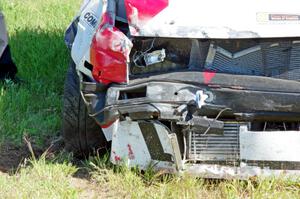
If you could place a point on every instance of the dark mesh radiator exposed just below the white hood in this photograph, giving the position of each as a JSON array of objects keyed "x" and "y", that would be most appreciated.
[{"x": 273, "y": 59}]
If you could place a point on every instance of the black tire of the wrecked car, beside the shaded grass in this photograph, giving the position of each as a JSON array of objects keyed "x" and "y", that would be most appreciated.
[{"x": 81, "y": 134}]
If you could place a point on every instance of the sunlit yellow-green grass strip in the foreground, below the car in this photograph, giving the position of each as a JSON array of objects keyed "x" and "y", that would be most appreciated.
[{"x": 55, "y": 179}]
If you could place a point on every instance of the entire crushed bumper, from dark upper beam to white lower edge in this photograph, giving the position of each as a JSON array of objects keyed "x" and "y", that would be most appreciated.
[{"x": 200, "y": 123}]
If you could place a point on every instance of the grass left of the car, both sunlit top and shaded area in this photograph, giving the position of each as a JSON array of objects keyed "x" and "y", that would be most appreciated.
[{"x": 36, "y": 29}]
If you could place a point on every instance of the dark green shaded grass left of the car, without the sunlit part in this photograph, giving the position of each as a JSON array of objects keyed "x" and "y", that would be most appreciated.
[{"x": 34, "y": 107}]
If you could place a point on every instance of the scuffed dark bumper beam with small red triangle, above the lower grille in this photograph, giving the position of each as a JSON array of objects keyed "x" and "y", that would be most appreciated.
[{"x": 248, "y": 98}]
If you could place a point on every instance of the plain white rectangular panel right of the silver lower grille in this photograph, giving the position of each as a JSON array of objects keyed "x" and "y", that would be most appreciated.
[{"x": 270, "y": 146}]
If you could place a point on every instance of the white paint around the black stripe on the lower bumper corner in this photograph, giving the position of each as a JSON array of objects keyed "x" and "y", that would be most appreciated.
[{"x": 129, "y": 135}]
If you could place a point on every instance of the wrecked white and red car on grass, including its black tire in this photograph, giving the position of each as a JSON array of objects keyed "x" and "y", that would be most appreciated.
[{"x": 187, "y": 85}]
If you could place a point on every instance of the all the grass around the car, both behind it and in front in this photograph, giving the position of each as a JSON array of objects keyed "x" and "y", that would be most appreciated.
[{"x": 36, "y": 30}]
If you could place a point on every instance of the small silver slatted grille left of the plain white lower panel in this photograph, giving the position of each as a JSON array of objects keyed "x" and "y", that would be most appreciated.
[{"x": 215, "y": 148}]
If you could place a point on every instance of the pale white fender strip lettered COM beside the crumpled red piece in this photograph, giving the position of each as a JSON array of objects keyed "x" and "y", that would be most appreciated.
[{"x": 85, "y": 32}]
